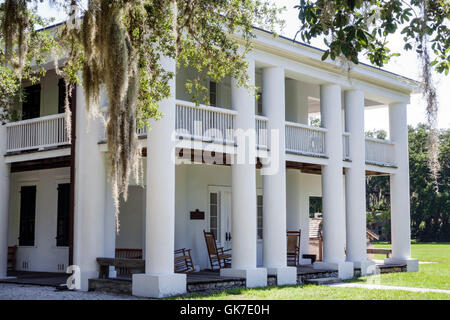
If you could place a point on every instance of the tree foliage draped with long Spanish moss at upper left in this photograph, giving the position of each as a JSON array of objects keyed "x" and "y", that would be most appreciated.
[{"x": 118, "y": 44}]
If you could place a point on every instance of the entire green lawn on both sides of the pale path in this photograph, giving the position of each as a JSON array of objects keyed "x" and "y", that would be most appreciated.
[{"x": 435, "y": 275}]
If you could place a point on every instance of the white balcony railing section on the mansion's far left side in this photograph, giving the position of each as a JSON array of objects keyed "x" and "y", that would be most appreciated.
[{"x": 38, "y": 133}]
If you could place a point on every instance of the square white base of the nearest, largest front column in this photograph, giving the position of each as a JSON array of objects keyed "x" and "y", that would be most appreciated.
[{"x": 158, "y": 285}]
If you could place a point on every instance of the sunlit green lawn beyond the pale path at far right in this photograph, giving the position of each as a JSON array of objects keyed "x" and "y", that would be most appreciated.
[{"x": 434, "y": 275}]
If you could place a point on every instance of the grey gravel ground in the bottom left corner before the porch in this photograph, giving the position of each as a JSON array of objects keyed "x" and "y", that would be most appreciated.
[{"x": 9, "y": 291}]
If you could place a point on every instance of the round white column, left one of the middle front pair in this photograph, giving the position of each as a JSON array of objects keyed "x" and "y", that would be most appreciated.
[{"x": 244, "y": 239}]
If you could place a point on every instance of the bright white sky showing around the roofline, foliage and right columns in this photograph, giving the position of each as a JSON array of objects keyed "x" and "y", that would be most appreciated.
[{"x": 406, "y": 65}]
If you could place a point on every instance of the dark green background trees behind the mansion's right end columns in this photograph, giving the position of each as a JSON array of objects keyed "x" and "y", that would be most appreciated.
[{"x": 430, "y": 209}]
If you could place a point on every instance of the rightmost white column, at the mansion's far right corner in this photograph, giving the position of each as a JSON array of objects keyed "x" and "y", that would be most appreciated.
[{"x": 400, "y": 207}]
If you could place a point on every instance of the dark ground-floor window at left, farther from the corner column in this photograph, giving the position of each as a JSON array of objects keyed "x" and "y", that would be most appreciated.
[{"x": 27, "y": 215}]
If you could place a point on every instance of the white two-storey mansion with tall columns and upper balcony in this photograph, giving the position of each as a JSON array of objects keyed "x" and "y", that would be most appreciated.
[{"x": 56, "y": 204}]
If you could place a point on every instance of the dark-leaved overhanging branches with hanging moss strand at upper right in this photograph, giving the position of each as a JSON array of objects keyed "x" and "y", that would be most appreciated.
[{"x": 353, "y": 27}]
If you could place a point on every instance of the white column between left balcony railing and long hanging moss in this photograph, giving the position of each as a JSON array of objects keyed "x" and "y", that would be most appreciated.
[{"x": 89, "y": 194}]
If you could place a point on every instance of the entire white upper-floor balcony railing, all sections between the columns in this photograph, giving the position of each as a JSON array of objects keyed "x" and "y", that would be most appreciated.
[{"x": 204, "y": 123}]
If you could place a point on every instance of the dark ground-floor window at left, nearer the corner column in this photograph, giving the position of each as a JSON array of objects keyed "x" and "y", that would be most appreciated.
[{"x": 62, "y": 232}]
